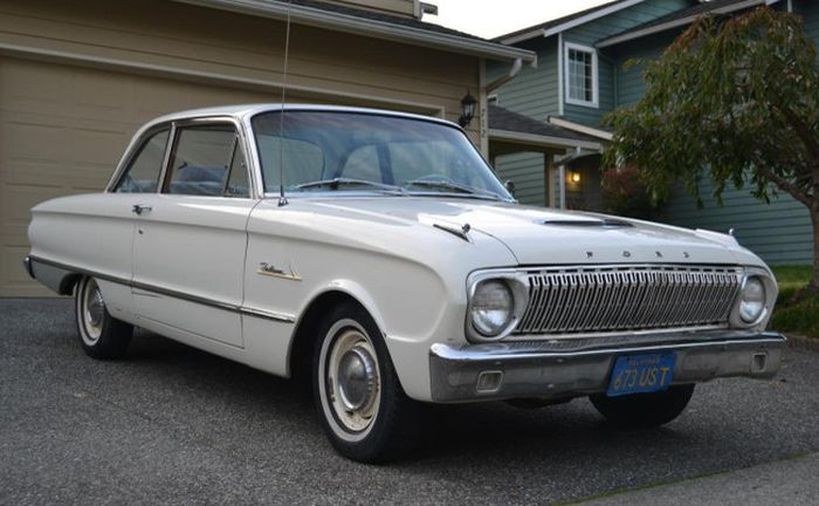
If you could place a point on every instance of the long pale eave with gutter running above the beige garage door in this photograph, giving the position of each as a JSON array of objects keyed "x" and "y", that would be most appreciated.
[{"x": 374, "y": 28}]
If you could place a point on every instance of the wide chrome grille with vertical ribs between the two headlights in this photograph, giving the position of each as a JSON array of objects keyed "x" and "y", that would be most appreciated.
[{"x": 574, "y": 300}]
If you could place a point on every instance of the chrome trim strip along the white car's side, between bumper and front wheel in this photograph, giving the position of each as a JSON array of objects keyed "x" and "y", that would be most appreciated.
[{"x": 153, "y": 289}]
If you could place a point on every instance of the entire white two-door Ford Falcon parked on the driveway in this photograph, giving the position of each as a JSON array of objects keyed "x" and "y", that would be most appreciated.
[{"x": 377, "y": 253}]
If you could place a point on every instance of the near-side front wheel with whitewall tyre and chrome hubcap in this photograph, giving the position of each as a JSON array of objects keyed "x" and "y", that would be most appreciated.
[{"x": 363, "y": 408}]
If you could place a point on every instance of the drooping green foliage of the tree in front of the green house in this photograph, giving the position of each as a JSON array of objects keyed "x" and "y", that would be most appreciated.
[{"x": 738, "y": 97}]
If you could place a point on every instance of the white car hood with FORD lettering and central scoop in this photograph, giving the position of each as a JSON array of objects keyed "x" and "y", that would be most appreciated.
[{"x": 538, "y": 235}]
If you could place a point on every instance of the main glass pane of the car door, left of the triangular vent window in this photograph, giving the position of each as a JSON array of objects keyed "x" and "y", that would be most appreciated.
[{"x": 201, "y": 160}]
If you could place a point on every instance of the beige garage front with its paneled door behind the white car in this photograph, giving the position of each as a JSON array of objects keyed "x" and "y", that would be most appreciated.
[{"x": 78, "y": 78}]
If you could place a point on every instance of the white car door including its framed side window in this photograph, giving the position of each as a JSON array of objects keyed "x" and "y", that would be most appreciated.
[{"x": 190, "y": 241}]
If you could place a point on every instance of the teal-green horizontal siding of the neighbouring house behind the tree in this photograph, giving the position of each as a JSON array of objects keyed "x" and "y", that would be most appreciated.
[{"x": 780, "y": 232}]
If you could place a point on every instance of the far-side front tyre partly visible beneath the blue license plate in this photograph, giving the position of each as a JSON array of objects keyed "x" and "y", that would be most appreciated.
[{"x": 643, "y": 411}]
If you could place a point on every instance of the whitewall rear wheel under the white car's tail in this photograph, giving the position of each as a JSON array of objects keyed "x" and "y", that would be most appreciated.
[{"x": 101, "y": 335}]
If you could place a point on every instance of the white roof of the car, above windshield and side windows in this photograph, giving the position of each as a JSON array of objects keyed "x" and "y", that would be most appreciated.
[{"x": 243, "y": 111}]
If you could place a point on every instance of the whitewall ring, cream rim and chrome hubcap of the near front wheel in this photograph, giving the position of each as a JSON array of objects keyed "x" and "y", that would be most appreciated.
[{"x": 352, "y": 379}]
